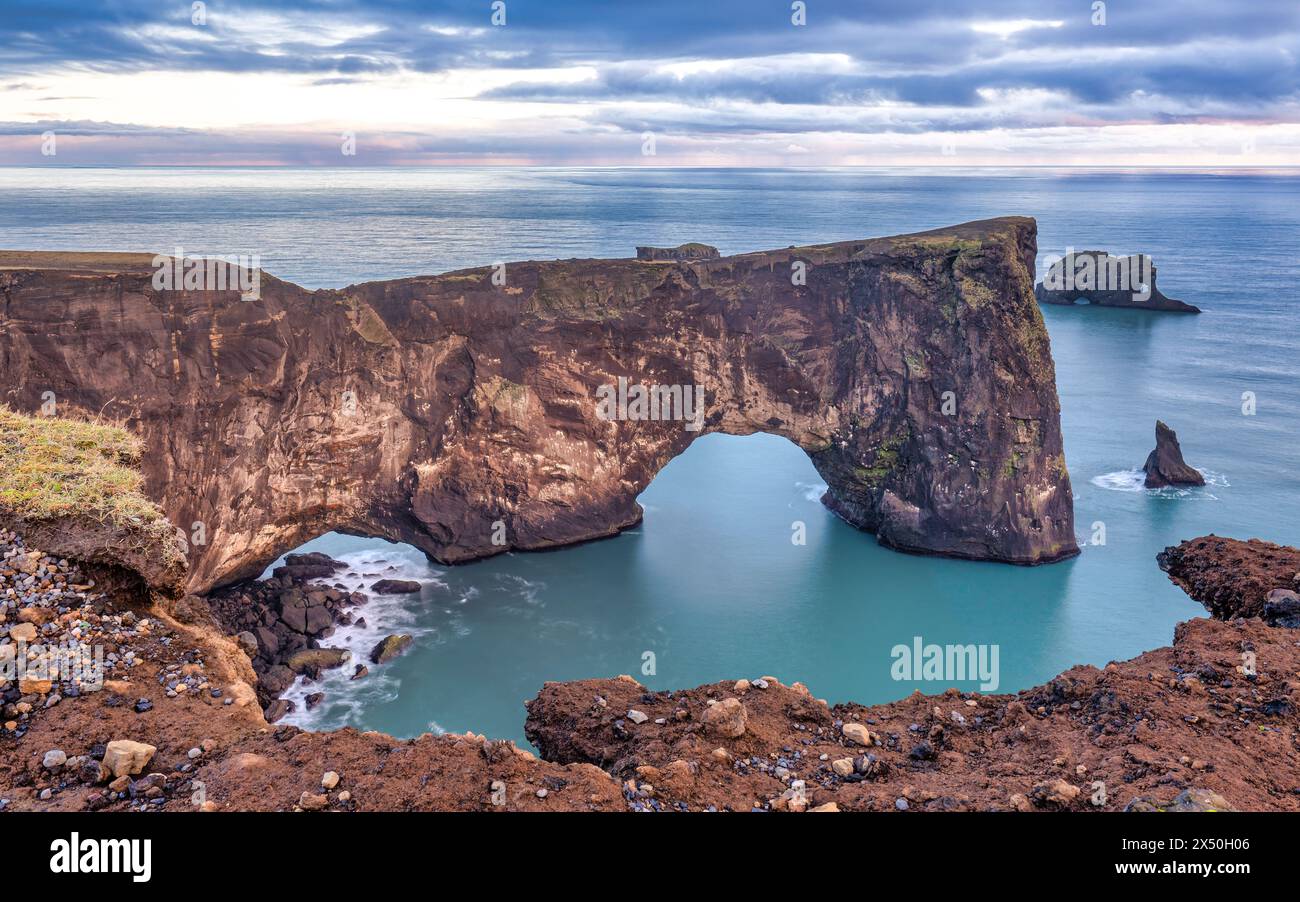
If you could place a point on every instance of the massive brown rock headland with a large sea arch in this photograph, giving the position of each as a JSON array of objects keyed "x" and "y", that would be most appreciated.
[{"x": 462, "y": 417}]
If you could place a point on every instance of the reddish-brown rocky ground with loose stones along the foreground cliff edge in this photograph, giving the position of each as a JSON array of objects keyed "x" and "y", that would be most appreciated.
[{"x": 1208, "y": 723}]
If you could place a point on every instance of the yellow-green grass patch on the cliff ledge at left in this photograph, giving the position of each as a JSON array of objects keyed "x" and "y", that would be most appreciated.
[{"x": 53, "y": 467}]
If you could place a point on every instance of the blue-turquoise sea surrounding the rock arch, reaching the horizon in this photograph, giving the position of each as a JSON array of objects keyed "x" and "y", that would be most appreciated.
[{"x": 710, "y": 583}]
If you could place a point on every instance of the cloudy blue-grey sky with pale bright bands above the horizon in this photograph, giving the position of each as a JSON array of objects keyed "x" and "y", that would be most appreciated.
[{"x": 714, "y": 83}]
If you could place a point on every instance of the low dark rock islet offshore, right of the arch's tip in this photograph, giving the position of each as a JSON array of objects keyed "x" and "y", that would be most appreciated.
[{"x": 1107, "y": 281}]
